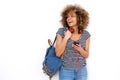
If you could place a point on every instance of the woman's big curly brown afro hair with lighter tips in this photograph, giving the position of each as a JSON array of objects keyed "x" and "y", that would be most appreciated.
[{"x": 82, "y": 16}]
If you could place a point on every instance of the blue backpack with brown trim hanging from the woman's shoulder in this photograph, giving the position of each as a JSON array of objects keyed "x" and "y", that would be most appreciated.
[{"x": 51, "y": 63}]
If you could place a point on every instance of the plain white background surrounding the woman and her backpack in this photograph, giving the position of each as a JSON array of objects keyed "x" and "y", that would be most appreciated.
[{"x": 25, "y": 26}]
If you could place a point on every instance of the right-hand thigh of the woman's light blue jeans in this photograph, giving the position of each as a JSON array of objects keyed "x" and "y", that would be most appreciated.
[{"x": 82, "y": 74}]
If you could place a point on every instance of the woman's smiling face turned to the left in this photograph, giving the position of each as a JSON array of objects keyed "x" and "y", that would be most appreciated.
[{"x": 71, "y": 19}]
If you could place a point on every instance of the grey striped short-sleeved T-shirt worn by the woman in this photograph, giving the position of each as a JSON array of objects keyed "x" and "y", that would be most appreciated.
[{"x": 73, "y": 59}]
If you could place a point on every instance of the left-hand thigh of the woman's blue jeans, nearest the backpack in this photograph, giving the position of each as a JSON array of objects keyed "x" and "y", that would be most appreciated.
[{"x": 66, "y": 74}]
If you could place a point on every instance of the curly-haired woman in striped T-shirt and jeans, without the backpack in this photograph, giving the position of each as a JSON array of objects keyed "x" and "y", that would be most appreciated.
[{"x": 72, "y": 43}]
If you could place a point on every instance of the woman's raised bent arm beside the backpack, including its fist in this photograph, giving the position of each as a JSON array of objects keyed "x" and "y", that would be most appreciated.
[{"x": 61, "y": 43}]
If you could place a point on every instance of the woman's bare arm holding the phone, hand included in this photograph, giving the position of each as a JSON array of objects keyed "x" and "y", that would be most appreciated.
[{"x": 84, "y": 52}]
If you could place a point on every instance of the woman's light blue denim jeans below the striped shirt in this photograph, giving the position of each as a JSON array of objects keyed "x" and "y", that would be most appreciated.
[{"x": 73, "y": 74}]
